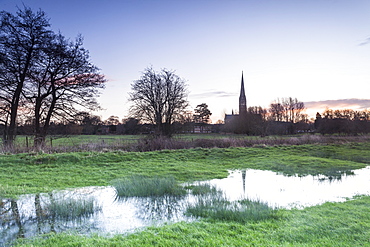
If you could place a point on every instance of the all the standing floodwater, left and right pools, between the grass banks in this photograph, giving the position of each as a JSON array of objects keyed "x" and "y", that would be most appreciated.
[{"x": 29, "y": 215}]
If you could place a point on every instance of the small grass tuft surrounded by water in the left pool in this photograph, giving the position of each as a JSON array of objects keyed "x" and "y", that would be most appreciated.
[{"x": 72, "y": 208}]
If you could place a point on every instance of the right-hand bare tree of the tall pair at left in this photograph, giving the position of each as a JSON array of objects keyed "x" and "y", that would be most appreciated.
[{"x": 62, "y": 82}]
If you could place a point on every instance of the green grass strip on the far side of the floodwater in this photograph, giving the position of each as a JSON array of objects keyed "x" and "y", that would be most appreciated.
[{"x": 39, "y": 172}]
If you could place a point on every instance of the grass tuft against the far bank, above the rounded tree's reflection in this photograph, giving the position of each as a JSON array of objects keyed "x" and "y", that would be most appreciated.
[{"x": 141, "y": 186}]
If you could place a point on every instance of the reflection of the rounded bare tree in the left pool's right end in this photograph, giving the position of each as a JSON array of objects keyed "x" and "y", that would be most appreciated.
[{"x": 161, "y": 207}]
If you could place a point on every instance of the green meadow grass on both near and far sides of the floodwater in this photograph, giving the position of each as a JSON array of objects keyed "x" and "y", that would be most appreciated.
[{"x": 339, "y": 224}]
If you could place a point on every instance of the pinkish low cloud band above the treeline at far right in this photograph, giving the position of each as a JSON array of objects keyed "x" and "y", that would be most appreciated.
[{"x": 354, "y": 104}]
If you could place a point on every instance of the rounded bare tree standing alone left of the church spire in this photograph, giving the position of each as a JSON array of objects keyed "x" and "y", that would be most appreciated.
[{"x": 159, "y": 98}]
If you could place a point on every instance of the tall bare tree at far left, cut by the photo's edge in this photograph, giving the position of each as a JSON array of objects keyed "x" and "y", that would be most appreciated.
[{"x": 22, "y": 37}]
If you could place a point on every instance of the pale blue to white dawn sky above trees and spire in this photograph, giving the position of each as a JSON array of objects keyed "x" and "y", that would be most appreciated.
[{"x": 317, "y": 51}]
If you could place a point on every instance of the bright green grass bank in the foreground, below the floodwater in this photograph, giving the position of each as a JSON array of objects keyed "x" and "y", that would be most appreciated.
[{"x": 330, "y": 224}]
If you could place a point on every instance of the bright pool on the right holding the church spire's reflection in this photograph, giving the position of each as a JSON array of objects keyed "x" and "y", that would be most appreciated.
[{"x": 294, "y": 191}]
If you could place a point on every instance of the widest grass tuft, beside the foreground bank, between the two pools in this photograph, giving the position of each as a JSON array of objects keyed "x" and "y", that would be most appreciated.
[{"x": 216, "y": 206}]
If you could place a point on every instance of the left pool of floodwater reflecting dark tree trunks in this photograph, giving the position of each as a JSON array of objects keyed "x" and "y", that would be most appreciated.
[{"x": 19, "y": 219}]
